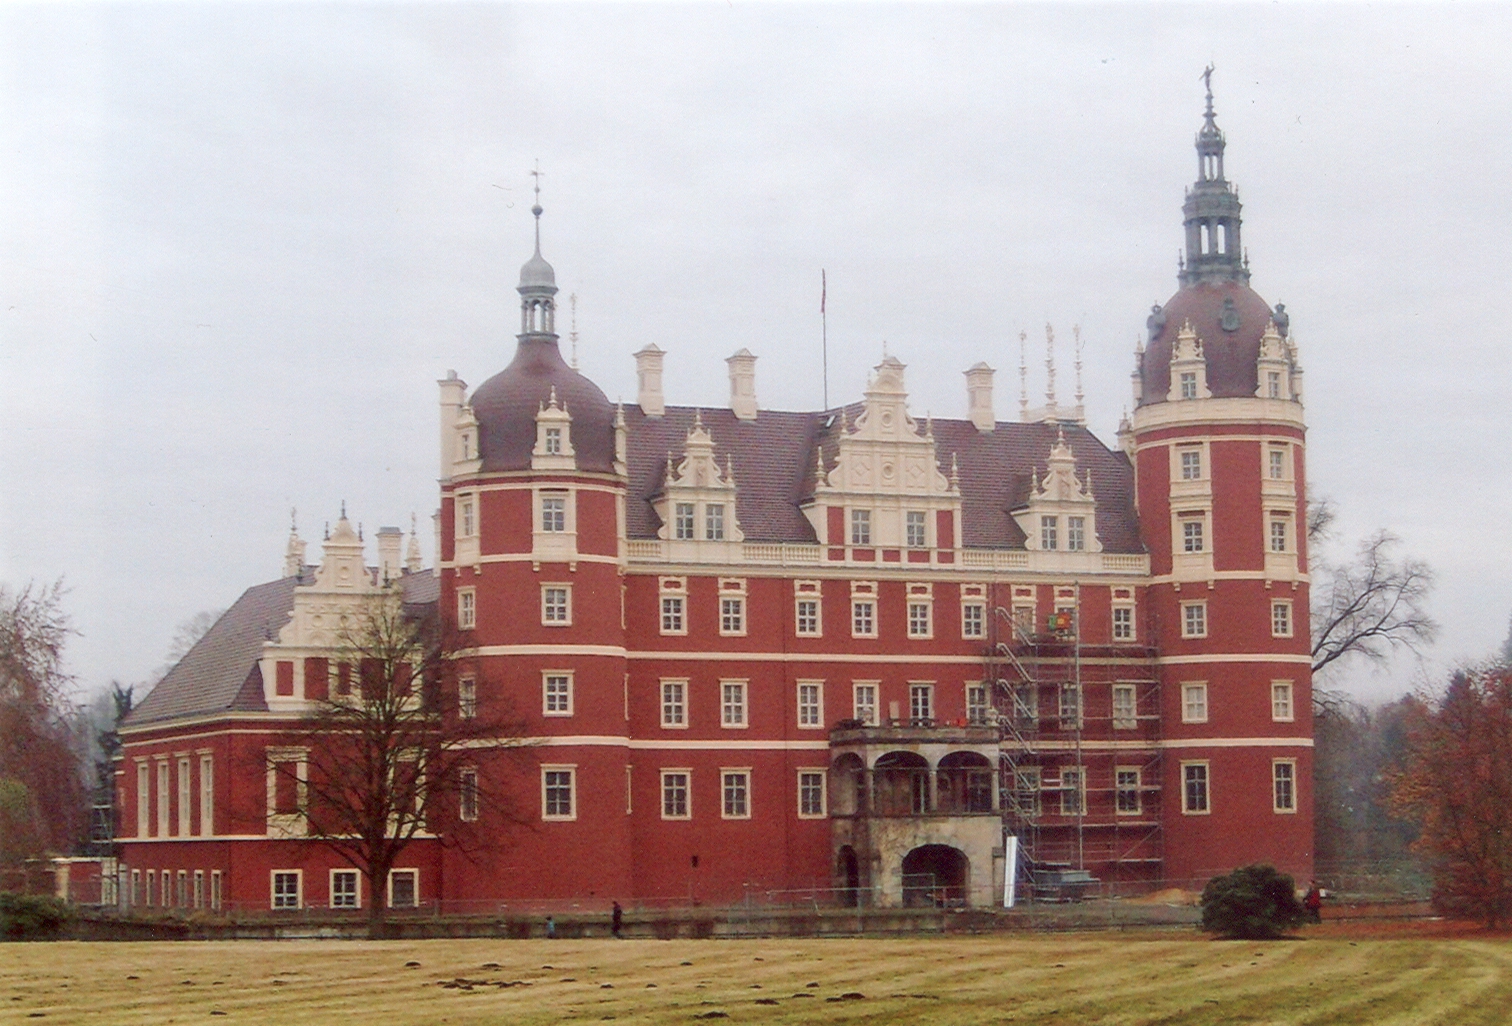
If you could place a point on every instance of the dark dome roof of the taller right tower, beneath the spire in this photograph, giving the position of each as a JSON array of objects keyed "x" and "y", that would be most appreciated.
[{"x": 1232, "y": 354}]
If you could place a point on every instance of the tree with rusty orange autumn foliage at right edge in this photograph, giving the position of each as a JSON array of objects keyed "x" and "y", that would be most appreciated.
[{"x": 1457, "y": 785}]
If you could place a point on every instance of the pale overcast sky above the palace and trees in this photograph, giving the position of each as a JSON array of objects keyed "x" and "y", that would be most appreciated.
[{"x": 241, "y": 243}]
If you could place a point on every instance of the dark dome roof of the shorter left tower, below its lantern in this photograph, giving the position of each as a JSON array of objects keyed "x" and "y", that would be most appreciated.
[{"x": 507, "y": 404}]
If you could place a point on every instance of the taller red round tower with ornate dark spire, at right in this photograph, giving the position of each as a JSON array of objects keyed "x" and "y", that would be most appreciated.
[{"x": 1219, "y": 445}]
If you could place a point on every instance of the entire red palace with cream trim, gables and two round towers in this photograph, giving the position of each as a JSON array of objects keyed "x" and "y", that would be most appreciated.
[{"x": 844, "y": 651}]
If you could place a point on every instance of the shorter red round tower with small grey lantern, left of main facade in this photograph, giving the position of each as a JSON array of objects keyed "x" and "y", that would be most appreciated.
[{"x": 533, "y": 539}]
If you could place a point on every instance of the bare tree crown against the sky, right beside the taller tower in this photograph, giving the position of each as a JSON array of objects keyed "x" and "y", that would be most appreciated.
[{"x": 1372, "y": 605}]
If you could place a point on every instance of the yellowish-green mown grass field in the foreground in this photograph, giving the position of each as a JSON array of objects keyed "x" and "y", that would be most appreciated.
[{"x": 1331, "y": 975}]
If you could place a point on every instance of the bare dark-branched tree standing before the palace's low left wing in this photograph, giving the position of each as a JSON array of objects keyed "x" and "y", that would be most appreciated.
[{"x": 392, "y": 752}]
